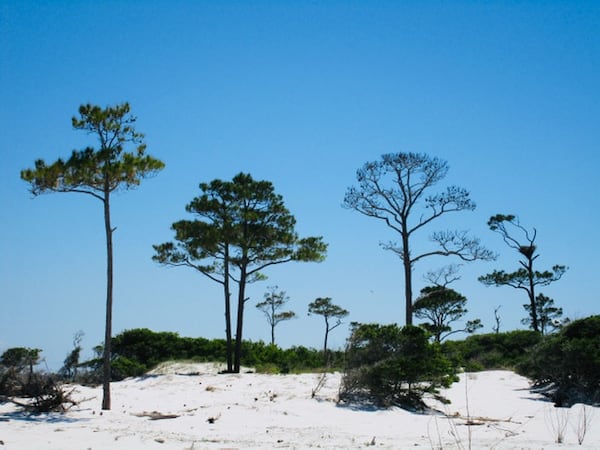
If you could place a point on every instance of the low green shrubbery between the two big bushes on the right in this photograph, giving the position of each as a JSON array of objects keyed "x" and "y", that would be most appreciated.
[{"x": 492, "y": 351}]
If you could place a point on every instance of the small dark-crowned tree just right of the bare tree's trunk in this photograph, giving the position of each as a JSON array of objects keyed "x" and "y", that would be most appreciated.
[{"x": 441, "y": 306}]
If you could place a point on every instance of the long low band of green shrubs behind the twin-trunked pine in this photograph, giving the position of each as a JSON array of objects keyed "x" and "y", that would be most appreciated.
[{"x": 139, "y": 350}]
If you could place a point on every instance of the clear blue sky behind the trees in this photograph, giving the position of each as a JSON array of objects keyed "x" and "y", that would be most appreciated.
[{"x": 300, "y": 93}]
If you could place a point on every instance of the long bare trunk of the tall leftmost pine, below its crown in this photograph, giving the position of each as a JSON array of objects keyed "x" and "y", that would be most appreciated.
[{"x": 109, "y": 290}]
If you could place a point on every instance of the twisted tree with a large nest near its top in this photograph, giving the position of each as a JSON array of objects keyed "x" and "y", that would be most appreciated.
[{"x": 525, "y": 278}]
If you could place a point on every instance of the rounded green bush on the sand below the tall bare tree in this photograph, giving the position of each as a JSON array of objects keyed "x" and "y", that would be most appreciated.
[{"x": 393, "y": 366}]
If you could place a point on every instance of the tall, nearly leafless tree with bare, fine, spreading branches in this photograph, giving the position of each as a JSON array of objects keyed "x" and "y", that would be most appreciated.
[{"x": 395, "y": 191}]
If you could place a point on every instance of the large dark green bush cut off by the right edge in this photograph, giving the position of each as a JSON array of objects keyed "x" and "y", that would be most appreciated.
[{"x": 569, "y": 363}]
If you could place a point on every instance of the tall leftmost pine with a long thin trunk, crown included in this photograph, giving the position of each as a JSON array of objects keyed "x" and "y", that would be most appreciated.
[{"x": 99, "y": 172}]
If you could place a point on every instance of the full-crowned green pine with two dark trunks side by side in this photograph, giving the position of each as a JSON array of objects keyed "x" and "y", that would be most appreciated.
[{"x": 243, "y": 227}]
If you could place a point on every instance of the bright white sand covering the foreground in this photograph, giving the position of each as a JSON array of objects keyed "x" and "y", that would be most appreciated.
[{"x": 174, "y": 410}]
